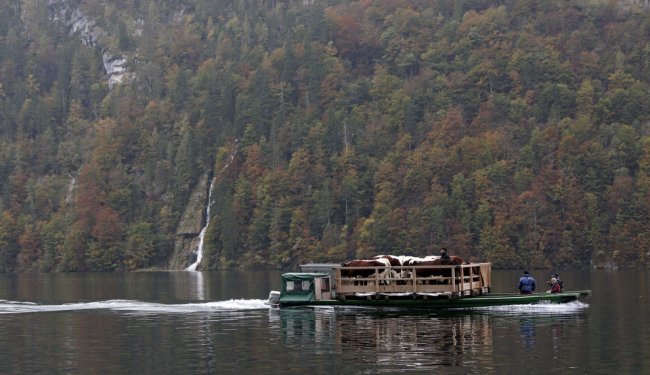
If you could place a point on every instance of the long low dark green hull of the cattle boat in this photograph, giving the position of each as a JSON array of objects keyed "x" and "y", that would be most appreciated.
[{"x": 443, "y": 302}]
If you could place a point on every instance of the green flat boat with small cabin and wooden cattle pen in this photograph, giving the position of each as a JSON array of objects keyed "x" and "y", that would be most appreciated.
[{"x": 444, "y": 287}]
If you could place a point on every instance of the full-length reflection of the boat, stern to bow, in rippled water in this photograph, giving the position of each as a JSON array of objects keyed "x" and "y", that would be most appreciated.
[{"x": 423, "y": 341}]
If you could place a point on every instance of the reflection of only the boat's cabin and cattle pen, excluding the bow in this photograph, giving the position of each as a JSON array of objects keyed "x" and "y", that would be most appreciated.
[{"x": 412, "y": 340}]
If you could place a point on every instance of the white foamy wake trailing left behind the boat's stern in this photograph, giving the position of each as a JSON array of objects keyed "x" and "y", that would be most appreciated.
[{"x": 233, "y": 305}]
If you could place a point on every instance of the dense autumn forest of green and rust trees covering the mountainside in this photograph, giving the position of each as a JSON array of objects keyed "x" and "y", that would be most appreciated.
[{"x": 511, "y": 131}]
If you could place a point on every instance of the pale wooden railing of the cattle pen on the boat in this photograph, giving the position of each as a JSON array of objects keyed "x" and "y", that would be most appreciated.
[{"x": 454, "y": 280}]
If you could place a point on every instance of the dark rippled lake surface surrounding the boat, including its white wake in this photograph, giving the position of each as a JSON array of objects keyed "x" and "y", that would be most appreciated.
[{"x": 216, "y": 323}]
